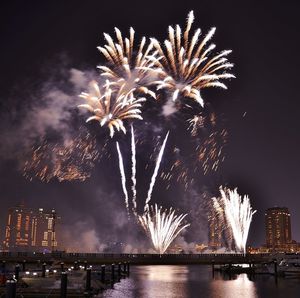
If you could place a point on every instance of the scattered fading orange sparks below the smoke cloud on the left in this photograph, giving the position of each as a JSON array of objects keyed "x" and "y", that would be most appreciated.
[{"x": 72, "y": 160}]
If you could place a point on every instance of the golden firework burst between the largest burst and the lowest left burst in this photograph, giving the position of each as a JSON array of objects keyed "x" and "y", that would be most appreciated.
[{"x": 129, "y": 67}]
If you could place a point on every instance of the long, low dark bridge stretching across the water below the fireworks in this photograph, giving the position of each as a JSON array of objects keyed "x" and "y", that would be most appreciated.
[{"x": 135, "y": 259}]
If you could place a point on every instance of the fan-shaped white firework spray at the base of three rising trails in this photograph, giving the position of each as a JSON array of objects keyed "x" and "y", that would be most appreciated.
[{"x": 162, "y": 226}]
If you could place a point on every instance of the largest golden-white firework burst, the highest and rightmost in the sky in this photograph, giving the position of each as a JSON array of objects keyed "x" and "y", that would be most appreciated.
[{"x": 186, "y": 65}]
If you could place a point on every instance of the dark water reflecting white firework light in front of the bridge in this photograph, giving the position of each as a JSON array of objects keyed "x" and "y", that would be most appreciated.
[{"x": 197, "y": 281}]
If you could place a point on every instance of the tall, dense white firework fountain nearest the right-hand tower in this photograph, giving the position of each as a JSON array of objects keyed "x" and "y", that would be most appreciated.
[{"x": 238, "y": 213}]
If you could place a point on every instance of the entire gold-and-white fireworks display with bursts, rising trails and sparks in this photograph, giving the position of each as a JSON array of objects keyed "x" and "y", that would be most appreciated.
[{"x": 132, "y": 74}]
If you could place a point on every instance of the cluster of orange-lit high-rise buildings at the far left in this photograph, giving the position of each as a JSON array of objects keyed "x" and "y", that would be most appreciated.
[{"x": 28, "y": 229}]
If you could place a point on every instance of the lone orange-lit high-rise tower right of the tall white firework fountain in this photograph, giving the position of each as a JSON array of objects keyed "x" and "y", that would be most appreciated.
[{"x": 278, "y": 229}]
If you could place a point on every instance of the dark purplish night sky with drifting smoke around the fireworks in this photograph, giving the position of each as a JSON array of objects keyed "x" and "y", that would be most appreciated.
[{"x": 49, "y": 57}]
